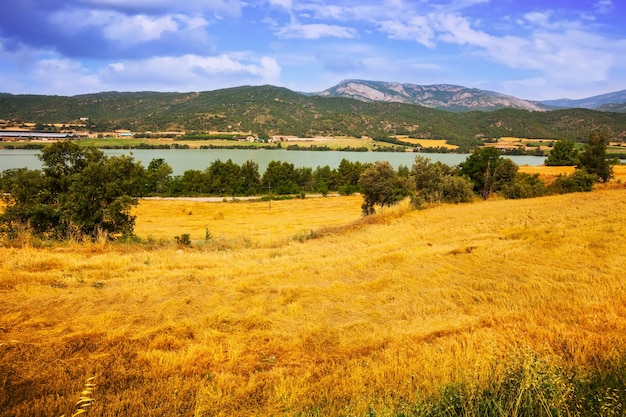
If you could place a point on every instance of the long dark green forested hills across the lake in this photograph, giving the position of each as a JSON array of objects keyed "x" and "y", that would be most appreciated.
[{"x": 268, "y": 110}]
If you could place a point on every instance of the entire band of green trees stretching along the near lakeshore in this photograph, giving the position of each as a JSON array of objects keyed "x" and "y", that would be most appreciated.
[{"x": 80, "y": 192}]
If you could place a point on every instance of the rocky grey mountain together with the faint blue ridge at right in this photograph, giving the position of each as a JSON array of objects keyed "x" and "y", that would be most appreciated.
[{"x": 457, "y": 98}]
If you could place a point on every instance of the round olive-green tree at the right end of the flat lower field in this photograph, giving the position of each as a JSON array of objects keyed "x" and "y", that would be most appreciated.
[{"x": 381, "y": 185}]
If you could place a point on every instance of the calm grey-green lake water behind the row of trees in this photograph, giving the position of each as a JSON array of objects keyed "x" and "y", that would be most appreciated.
[{"x": 182, "y": 160}]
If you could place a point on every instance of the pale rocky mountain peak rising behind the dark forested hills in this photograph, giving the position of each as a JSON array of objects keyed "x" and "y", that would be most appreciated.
[{"x": 448, "y": 97}]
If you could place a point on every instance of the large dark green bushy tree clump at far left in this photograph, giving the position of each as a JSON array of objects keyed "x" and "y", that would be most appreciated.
[{"x": 80, "y": 192}]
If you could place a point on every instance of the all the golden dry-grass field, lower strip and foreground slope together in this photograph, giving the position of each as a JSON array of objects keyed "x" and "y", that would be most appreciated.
[{"x": 371, "y": 316}]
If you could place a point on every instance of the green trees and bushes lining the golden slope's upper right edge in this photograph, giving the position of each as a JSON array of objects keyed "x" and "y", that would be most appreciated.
[{"x": 483, "y": 173}]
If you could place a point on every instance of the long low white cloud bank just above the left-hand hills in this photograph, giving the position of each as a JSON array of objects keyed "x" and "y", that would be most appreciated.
[{"x": 61, "y": 76}]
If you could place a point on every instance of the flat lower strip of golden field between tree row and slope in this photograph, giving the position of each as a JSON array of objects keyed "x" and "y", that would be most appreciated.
[{"x": 257, "y": 223}]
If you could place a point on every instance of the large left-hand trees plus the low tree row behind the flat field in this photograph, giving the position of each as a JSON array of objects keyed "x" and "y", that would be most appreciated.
[{"x": 80, "y": 192}]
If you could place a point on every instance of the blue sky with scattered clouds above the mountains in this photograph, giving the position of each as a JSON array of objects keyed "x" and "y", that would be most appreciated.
[{"x": 532, "y": 49}]
